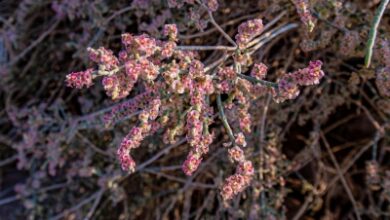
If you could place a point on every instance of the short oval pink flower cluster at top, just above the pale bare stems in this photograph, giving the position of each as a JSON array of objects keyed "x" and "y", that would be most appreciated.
[{"x": 247, "y": 31}]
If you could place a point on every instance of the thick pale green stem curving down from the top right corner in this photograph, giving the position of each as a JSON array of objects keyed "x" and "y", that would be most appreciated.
[{"x": 373, "y": 32}]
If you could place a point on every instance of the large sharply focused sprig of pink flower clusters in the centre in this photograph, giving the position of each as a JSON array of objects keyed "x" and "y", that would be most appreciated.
[{"x": 170, "y": 72}]
